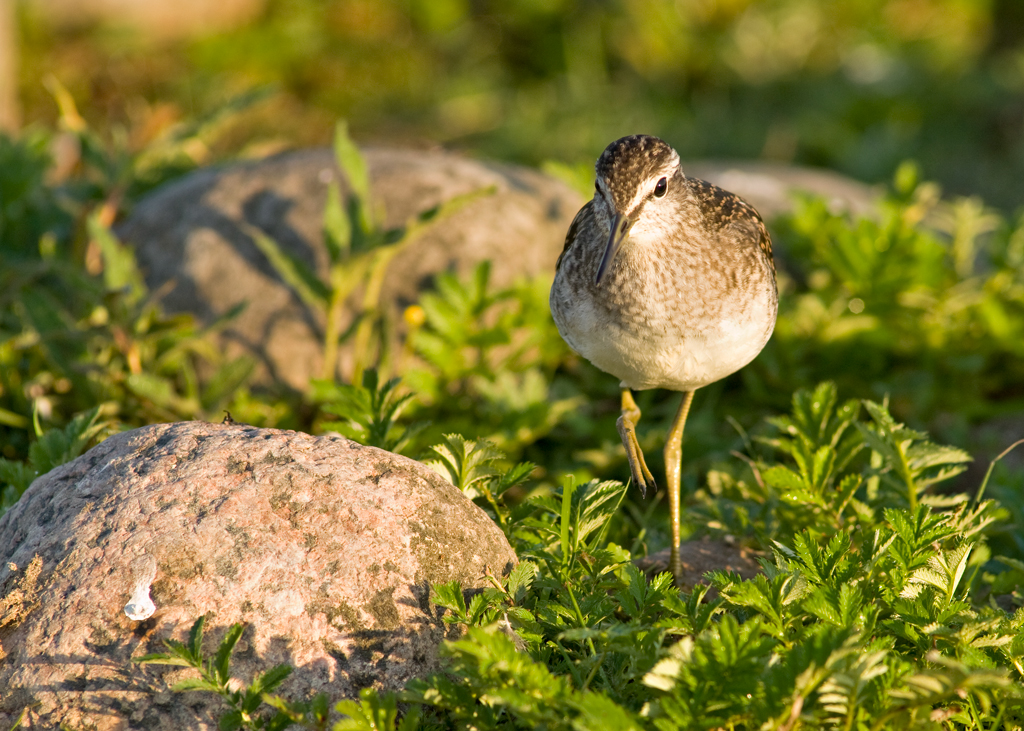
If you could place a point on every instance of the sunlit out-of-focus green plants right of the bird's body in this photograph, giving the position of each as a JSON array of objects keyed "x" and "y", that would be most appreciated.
[{"x": 923, "y": 300}]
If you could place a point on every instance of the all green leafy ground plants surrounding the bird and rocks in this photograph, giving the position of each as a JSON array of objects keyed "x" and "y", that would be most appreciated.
[{"x": 888, "y": 598}]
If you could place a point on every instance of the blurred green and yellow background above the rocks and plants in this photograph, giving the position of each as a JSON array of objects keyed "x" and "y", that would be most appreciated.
[{"x": 854, "y": 85}]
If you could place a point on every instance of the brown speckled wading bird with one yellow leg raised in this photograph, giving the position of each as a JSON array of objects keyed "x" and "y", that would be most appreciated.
[{"x": 665, "y": 282}]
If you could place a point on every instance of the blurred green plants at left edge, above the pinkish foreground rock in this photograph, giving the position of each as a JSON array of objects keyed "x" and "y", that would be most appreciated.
[{"x": 78, "y": 328}]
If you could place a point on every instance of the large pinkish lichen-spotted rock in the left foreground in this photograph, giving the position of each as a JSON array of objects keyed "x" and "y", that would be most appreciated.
[{"x": 327, "y": 549}]
